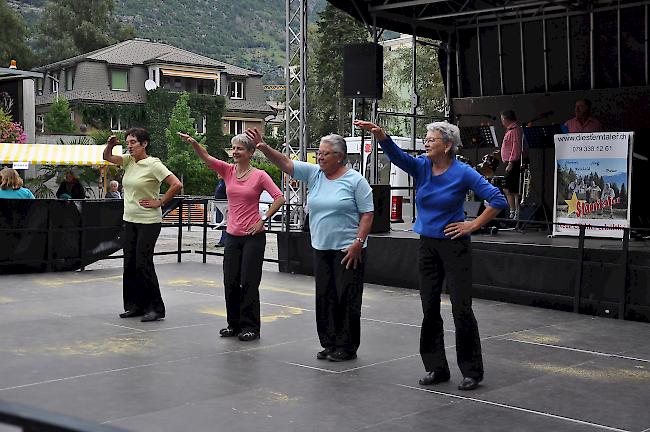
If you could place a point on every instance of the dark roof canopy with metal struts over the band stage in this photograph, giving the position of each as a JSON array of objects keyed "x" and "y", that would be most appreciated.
[{"x": 524, "y": 46}]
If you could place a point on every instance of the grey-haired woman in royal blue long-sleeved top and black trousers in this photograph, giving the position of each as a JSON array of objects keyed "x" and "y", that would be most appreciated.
[{"x": 441, "y": 184}]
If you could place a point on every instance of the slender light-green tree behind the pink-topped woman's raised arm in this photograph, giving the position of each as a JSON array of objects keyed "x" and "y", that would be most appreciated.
[{"x": 181, "y": 158}]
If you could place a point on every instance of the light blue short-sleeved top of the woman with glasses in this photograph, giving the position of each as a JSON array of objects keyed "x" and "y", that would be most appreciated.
[{"x": 335, "y": 206}]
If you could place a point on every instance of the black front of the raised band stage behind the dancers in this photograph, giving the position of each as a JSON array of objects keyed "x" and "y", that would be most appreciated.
[{"x": 527, "y": 268}]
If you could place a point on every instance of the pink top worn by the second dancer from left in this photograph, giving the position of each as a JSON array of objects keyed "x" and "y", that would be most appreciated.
[{"x": 244, "y": 196}]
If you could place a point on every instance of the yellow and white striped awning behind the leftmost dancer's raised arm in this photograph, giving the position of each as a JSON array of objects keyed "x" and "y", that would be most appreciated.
[{"x": 54, "y": 154}]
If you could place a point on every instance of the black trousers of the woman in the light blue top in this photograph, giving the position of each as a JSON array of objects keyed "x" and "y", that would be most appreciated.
[{"x": 338, "y": 300}]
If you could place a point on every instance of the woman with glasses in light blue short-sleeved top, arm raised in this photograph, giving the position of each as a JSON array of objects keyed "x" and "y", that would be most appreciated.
[{"x": 340, "y": 217}]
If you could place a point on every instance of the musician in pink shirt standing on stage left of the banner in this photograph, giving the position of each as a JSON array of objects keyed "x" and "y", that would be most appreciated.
[{"x": 511, "y": 156}]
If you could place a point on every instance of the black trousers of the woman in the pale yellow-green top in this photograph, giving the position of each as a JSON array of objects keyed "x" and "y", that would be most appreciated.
[{"x": 141, "y": 289}]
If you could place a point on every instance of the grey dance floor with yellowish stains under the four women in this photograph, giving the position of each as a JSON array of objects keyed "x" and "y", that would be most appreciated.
[{"x": 63, "y": 348}]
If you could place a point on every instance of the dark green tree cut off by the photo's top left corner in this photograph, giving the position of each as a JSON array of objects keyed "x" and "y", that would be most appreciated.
[{"x": 13, "y": 34}]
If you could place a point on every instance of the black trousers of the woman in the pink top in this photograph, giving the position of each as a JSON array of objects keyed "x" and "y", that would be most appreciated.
[{"x": 242, "y": 273}]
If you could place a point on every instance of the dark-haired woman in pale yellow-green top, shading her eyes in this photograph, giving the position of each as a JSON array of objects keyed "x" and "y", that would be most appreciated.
[{"x": 143, "y": 175}]
